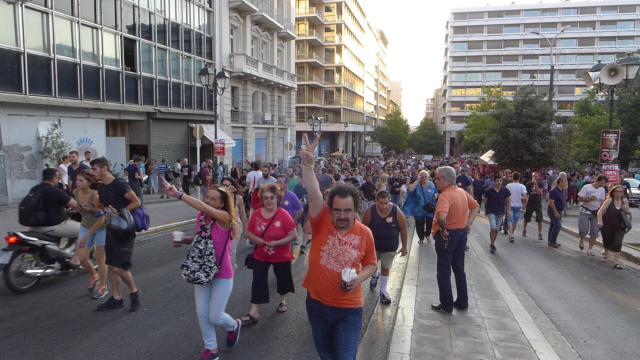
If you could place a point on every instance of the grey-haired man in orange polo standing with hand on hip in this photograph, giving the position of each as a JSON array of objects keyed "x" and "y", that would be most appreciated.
[{"x": 455, "y": 212}]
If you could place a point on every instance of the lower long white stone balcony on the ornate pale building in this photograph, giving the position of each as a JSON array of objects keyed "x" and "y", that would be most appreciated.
[{"x": 245, "y": 65}]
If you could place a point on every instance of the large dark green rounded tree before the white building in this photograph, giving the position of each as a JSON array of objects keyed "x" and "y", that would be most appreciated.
[{"x": 523, "y": 130}]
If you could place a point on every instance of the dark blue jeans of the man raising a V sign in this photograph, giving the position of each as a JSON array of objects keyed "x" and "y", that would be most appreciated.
[{"x": 336, "y": 331}]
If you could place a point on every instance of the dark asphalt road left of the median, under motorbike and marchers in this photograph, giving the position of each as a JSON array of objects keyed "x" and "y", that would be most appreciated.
[{"x": 57, "y": 320}]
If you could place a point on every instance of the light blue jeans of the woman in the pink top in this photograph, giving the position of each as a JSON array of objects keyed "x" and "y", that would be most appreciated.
[{"x": 211, "y": 300}]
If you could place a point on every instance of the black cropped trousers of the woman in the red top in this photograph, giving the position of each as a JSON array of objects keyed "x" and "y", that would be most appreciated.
[{"x": 260, "y": 284}]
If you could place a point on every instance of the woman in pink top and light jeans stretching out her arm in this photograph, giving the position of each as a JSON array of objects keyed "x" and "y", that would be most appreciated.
[{"x": 216, "y": 214}]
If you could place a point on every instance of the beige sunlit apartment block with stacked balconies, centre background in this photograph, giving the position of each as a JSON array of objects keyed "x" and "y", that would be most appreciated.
[{"x": 340, "y": 64}]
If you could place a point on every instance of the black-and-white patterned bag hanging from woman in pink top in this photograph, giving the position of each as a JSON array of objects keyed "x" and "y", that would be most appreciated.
[{"x": 200, "y": 266}]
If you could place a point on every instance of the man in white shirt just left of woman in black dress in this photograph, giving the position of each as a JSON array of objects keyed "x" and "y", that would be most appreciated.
[{"x": 591, "y": 197}]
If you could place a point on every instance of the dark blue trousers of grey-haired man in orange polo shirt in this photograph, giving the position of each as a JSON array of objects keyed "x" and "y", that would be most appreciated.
[{"x": 452, "y": 257}]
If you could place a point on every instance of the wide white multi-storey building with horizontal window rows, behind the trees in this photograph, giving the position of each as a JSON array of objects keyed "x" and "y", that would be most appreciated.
[{"x": 496, "y": 45}]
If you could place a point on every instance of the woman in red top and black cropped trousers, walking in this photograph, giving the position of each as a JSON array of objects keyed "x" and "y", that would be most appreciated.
[{"x": 271, "y": 229}]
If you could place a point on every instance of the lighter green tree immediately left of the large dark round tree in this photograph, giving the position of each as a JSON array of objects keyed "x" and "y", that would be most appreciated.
[{"x": 476, "y": 134}]
